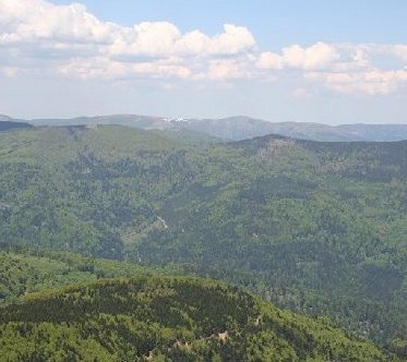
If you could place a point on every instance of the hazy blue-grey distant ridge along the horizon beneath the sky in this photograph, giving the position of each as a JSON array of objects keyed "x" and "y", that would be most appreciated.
[{"x": 241, "y": 127}]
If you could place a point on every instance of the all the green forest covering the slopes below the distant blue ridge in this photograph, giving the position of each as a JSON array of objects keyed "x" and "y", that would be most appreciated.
[{"x": 315, "y": 228}]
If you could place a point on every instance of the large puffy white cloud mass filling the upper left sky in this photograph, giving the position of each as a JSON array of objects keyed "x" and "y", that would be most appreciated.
[{"x": 82, "y": 45}]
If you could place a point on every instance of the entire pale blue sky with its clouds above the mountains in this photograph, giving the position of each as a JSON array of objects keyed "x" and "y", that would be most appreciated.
[{"x": 332, "y": 62}]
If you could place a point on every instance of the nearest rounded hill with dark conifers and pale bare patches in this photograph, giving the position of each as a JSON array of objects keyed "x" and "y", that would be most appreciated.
[{"x": 167, "y": 318}]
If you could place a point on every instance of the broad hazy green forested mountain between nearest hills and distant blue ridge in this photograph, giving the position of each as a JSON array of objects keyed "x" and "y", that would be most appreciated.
[{"x": 319, "y": 228}]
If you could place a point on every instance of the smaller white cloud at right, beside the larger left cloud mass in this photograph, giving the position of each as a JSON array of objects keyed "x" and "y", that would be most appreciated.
[{"x": 346, "y": 68}]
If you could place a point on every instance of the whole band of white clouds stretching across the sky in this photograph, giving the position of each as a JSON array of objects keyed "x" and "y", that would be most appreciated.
[{"x": 68, "y": 41}]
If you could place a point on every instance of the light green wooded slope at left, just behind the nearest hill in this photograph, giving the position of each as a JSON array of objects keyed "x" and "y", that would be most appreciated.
[{"x": 30, "y": 271}]
